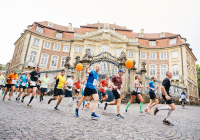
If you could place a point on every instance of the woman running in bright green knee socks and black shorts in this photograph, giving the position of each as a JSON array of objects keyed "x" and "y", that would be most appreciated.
[{"x": 136, "y": 93}]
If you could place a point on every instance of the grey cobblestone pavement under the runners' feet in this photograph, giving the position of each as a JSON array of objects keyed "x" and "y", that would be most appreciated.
[{"x": 17, "y": 121}]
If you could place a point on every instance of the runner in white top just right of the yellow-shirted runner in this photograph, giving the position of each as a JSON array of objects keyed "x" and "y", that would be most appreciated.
[{"x": 69, "y": 85}]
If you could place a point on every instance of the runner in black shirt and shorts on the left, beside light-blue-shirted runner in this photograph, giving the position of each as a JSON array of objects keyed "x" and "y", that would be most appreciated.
[{"x": 33, "y": 79}]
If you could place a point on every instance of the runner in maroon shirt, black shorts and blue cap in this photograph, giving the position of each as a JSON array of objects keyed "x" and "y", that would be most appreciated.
[{"x": 116, "y": 84}]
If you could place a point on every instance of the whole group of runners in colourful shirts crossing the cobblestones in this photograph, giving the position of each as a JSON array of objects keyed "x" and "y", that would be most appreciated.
[{"x": 88, "y": 88}]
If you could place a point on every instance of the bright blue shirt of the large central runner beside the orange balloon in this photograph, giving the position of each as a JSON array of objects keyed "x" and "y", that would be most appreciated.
[{"x": 92, "y": 80}]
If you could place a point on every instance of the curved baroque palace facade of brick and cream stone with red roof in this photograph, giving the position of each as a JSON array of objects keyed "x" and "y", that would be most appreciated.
[{"x": 47, "y": 44}]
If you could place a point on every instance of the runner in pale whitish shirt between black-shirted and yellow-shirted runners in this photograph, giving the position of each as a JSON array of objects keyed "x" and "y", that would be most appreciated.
[{"x": 44, "y": 86}]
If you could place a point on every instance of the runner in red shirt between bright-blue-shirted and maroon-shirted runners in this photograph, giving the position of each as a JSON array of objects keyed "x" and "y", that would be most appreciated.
[{"x": 103, "y": 87}]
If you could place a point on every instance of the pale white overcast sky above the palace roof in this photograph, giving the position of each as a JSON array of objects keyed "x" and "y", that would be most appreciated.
[{"x": 154, "y": 16}]
